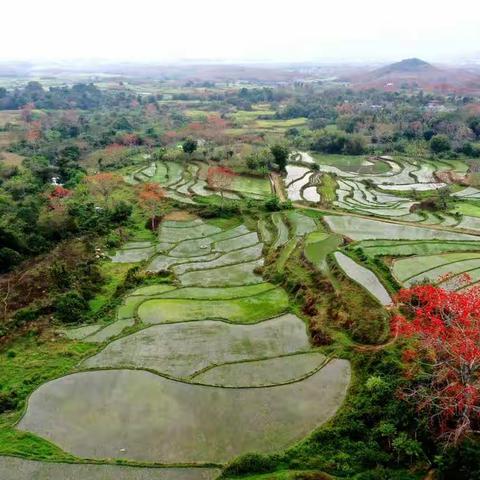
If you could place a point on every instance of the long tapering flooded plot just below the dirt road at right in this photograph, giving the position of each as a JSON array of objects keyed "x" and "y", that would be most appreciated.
[{"x": 358, "y": 228}]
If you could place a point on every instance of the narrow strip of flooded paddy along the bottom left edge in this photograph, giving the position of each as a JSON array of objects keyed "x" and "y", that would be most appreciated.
[{"x": 12, "y": 468}]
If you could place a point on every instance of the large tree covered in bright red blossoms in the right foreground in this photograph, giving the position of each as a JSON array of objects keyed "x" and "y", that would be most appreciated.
[{"x": 444, "y": 364}]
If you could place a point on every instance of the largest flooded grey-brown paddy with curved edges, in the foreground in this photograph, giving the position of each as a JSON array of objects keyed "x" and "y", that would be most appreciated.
[{"x": 86, "y": 414}]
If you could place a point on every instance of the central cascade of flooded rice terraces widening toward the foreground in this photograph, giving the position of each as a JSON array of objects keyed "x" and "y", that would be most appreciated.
[{"x": 212, "y": 365}]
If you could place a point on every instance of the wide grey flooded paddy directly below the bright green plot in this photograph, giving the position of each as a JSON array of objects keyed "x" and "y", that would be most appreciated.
[{"x": 181, "y": 350}]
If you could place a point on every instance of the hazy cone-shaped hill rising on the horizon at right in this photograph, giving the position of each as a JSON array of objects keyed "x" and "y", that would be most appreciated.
[{"x": 414, "y": 72}]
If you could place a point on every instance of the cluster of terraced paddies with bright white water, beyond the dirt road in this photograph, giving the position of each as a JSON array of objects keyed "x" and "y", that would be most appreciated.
[{"x": 376, "y": 186}]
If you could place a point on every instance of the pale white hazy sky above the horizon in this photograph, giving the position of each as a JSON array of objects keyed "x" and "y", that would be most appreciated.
[{"x": 239, "y": 30}]
